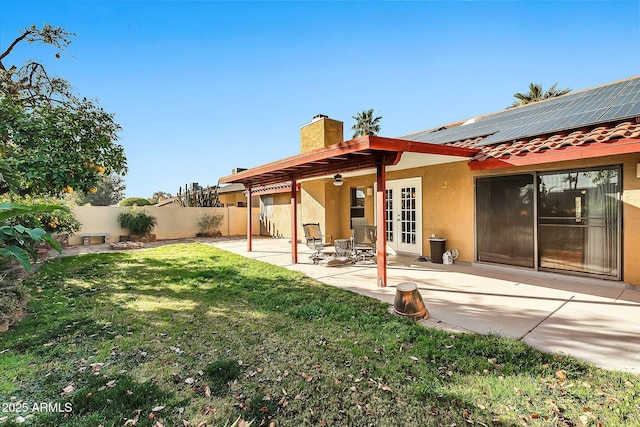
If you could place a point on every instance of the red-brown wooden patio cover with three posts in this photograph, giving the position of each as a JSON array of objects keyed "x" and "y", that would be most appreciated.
[{"x": 368, "y": 152}]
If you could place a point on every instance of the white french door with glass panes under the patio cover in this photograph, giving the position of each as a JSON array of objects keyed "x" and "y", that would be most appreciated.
[{"x": 403, "y": 204}]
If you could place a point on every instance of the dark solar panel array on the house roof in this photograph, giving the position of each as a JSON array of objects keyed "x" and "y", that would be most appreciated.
[{"x": 605, "y": 103}]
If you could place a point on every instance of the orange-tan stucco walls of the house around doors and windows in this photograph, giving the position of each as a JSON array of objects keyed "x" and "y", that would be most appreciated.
[{"x": 448, "y": 205}]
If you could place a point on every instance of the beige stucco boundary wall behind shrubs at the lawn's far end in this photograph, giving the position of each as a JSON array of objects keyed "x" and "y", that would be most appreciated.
[{"x": 172, "y": 223}]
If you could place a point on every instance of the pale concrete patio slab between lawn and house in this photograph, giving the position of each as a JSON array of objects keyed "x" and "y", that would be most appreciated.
[{"x": 592, "y": 320}]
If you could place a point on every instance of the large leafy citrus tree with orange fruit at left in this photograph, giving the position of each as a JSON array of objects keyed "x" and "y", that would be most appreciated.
[{"x": 54, "y": 141}]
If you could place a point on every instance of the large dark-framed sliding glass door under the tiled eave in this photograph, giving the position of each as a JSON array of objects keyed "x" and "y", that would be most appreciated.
[{"x": 569, "y": 219}]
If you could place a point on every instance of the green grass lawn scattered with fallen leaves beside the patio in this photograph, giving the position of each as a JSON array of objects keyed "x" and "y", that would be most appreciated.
[{"x": 192, "y": 335}]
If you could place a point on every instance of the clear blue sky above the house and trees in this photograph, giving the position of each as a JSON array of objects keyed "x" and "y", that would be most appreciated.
[{"x": 201, "y": 87}]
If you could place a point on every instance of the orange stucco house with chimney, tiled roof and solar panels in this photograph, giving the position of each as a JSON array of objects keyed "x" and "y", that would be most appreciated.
[{"x": 554, "y": 187}]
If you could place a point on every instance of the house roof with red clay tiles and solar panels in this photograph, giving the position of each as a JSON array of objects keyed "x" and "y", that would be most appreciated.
[{"x": 592, "y": 117}]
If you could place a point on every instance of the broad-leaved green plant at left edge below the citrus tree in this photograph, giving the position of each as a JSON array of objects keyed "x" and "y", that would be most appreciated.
[{"x": 18, "y": 242}]
